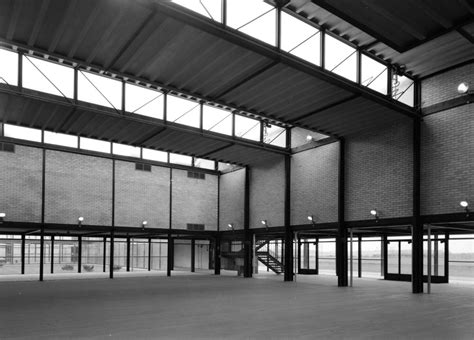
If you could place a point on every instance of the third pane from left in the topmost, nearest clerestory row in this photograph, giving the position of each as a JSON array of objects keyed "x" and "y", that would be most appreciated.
[{"x": 305, "y": 44}]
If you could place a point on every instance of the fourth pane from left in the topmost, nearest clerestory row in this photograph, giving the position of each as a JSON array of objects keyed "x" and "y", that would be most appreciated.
[{"x": 340, "y": 58}]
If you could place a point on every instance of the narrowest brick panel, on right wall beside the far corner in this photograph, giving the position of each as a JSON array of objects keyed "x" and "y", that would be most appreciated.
[{"x": 232, "y": 196}]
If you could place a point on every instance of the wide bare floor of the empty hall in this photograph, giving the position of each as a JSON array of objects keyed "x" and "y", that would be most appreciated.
[{"x": 204, "y": 306}]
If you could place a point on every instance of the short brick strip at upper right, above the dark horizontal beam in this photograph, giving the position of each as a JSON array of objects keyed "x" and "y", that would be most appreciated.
[{"x": 443, "y": 87}]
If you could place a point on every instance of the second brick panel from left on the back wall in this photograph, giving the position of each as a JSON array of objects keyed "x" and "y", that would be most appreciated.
[{"x": 78, "y": 185}]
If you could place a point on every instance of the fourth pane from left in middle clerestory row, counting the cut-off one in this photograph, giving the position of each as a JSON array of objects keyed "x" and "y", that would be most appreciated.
[{"x": 143, "y": 101}]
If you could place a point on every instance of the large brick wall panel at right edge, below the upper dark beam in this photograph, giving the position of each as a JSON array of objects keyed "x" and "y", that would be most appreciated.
[{"x": 447, "y": 160}]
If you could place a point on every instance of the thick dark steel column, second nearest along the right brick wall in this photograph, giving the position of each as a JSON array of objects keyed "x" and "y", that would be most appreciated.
[{"x": 341, "y": 239}]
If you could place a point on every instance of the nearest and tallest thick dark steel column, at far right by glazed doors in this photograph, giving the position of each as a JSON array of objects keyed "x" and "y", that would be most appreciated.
[{"x": 417, "y": 234}]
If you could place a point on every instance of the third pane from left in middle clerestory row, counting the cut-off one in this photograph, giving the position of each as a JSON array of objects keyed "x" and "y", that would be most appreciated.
[{"x": 99, "y": 90}]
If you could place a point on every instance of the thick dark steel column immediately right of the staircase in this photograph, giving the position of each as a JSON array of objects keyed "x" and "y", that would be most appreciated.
[{"x": 288, "y": 230}]
